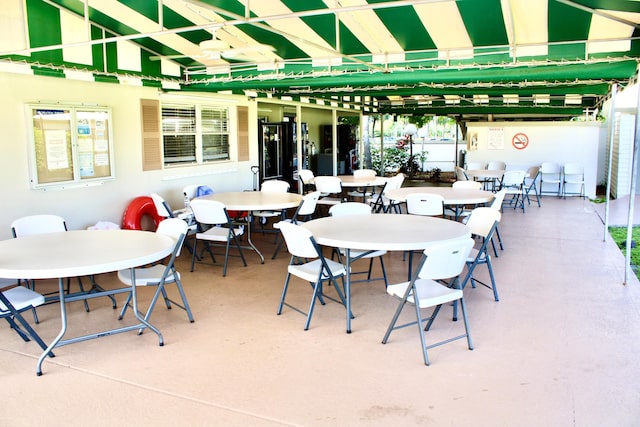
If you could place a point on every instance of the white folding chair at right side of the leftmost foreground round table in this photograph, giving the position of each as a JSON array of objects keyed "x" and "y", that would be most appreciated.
[{"x": 160, "y": 275}]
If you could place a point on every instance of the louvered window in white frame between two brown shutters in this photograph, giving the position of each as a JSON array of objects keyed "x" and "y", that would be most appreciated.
[{"x": 194, "y": 134}]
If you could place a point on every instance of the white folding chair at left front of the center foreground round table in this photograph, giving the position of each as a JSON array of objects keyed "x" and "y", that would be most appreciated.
[{"x": 308, "y": 263}]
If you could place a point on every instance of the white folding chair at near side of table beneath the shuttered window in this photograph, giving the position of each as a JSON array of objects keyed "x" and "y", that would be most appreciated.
[{"x": 220, "y": 231}]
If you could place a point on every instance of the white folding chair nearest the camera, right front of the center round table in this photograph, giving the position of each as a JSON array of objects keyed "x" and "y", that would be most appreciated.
[{"x": 439, "y": 263}]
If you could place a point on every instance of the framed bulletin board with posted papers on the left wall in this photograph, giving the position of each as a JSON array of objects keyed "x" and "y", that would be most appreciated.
[{"x": 71, "y": 145}]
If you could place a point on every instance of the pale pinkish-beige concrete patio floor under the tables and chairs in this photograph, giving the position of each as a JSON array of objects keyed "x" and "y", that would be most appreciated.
[{"x": 560, "y": 348}]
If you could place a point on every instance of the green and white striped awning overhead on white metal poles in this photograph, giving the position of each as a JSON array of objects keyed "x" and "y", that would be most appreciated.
[{"x": 531, "y": 57}]
